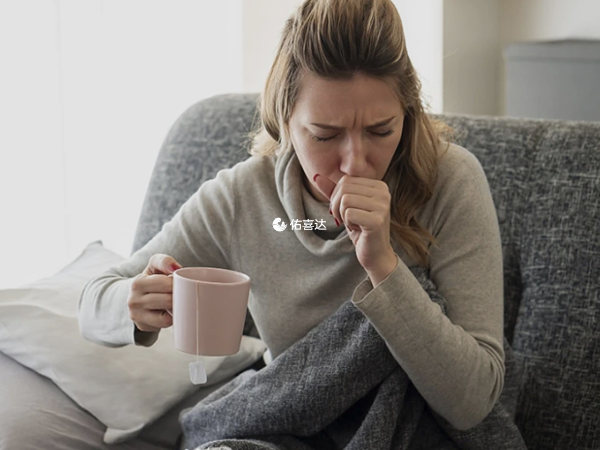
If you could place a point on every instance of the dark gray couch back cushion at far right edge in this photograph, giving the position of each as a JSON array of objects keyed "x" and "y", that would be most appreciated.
[{"x": 558, "y": 330}]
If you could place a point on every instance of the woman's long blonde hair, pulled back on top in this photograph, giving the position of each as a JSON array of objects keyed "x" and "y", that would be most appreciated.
[{"x": 336, "y": 39}]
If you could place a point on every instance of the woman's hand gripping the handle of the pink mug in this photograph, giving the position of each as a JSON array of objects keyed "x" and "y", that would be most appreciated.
[{"x": 151, "y": 294}]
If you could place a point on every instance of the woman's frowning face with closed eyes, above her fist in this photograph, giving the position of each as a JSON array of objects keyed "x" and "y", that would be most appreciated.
[{"x": 345, "y": 127}]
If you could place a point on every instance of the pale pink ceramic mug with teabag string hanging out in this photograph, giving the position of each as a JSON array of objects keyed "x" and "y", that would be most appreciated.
[{"x": 222, "y": 299}]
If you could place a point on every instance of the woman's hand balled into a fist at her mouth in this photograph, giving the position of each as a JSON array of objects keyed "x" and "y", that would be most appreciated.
[{"x": 363, "y": 205}]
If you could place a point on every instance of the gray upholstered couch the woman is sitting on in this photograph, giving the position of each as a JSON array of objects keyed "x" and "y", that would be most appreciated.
[{"x": 545, "y": 180}]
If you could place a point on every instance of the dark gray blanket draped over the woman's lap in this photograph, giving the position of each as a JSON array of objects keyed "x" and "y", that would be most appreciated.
[{"x": 339, "y": 387}]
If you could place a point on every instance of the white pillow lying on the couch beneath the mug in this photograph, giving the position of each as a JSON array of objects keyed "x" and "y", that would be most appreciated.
[{"x": 125, "y": 388}]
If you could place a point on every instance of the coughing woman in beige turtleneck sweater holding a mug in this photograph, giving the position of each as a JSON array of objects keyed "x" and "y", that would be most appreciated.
[{"x": 343, "y": 137}]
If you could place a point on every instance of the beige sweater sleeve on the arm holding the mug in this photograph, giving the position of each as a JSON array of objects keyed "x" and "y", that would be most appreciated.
[{"x": 197, "y": 235}]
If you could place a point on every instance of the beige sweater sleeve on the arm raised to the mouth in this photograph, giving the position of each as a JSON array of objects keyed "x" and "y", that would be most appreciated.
[{"x": 456, "y": 362}]
